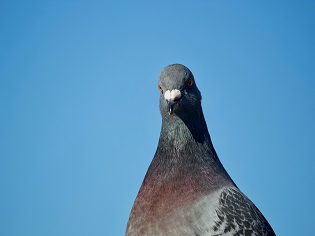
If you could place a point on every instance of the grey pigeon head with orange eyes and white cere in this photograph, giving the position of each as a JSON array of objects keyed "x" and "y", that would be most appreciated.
[{"x": 179, "y": 93}]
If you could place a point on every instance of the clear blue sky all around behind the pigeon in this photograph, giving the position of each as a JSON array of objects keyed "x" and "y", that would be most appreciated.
[{"x": 79, "y": 106}]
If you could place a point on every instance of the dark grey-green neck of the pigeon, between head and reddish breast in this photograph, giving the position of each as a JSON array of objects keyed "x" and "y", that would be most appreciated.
[{"x": 184, "y": 140}]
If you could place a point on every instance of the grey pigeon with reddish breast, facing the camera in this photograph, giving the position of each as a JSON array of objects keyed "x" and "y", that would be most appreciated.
[{"x": 186, "y": 190}]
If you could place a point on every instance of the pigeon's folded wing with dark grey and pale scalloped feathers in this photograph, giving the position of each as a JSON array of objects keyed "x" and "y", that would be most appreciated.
[{"x": 237, "y": 215}]
